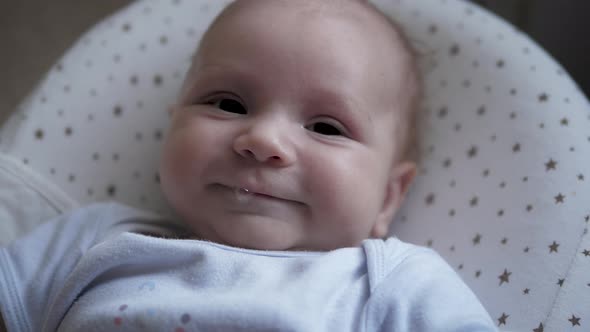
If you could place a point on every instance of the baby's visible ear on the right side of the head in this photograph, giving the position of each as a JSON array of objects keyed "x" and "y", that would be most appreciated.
[{"x": 399, "y": 182}]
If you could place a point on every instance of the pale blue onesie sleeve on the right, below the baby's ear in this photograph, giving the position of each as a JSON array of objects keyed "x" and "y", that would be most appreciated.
[{"x": 423, "y": 293}]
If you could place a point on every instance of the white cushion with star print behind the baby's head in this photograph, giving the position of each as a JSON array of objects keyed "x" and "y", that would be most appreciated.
[{"x": 503, "y": 189}]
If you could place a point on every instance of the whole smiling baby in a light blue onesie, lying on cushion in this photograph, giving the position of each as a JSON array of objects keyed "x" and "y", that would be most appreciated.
[{"x": 289, "y": 152}]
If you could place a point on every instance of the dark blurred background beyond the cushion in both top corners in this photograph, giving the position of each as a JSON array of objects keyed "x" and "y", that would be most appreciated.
[{"x": 35, "y": 33}]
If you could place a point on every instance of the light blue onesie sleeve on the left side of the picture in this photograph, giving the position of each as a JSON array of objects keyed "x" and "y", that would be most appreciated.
[{"x": 33, "y": 269}]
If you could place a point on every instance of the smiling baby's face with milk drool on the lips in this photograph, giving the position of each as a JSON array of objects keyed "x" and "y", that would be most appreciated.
[{"x": 283, "y": 138}]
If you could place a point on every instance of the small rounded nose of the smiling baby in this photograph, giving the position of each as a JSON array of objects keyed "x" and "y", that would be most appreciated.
[{"x": 265, "y": 142}]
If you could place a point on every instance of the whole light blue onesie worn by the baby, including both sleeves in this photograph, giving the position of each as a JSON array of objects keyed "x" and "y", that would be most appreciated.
[{"x": 102, "y": 269}]
